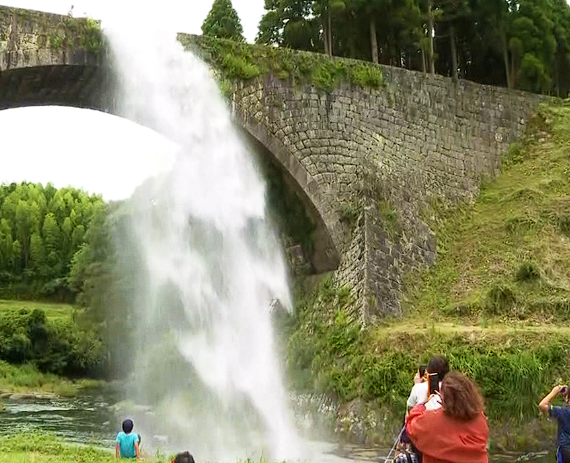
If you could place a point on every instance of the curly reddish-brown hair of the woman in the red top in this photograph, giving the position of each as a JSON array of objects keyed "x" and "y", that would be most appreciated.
[{"x": 460, "y": 397}]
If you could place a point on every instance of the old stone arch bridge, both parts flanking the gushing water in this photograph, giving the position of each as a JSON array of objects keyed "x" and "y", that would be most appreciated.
[{"x": 364, "y": 161}]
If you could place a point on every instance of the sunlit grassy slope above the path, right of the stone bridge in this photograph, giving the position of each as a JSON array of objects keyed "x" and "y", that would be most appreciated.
[{"x": 508, "y": 255}]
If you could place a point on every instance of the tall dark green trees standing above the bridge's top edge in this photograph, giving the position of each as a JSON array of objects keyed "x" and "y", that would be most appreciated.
[{"x": 520, "y": 44}]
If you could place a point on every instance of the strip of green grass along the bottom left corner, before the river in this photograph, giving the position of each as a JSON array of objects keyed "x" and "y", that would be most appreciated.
[{"x": 45, "y": 448}]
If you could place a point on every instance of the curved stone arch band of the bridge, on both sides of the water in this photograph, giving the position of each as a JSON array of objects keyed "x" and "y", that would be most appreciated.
[{"x": 86, "y": 85}]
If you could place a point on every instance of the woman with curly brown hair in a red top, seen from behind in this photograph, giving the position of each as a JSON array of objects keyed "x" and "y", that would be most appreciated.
[{"x": 455, "y": 433}]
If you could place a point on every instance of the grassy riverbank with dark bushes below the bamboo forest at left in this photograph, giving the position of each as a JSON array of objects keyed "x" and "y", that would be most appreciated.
[{"x": 38, "y": 342}]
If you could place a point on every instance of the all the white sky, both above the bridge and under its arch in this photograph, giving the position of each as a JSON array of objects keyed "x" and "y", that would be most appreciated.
[{"x": 91, "y": 150}]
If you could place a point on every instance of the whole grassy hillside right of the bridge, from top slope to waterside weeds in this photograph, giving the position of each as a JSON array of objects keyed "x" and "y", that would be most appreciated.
[{"x": 496, "y": 303}]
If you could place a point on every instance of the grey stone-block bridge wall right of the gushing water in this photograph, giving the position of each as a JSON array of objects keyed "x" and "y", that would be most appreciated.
[{"x": 386, "y": 153}]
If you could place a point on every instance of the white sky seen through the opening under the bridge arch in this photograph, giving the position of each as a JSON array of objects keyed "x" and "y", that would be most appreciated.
[{"x": 91, "y": 150}]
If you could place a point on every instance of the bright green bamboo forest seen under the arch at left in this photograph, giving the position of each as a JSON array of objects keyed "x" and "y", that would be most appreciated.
[{"x": 41, "y": 230}]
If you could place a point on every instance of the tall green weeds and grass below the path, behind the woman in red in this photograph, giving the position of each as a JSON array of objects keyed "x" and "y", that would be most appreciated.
[{"x": 329, "y": 351}]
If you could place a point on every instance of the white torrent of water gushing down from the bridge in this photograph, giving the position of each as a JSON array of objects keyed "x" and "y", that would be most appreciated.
[{"x": 208, "y": 264}]
